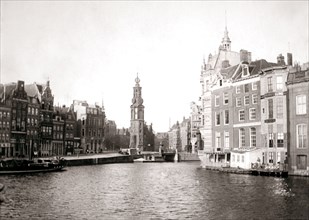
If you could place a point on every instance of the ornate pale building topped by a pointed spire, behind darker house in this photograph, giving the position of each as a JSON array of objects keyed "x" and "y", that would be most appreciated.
[{"x": 210, "y": 77}]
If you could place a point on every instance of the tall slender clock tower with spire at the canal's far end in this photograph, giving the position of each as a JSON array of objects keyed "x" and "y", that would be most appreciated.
[{"x": 137, "y": 118}]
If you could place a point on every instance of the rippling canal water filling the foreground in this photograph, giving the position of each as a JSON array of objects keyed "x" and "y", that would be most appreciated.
[{"x": 152, "y": 191}]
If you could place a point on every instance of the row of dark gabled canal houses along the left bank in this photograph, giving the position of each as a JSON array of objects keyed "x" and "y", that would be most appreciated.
[{"x": 30, "y": 124}]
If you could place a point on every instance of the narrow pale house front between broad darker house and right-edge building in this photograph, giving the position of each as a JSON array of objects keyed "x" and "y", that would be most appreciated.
[{"x": 274, "y": 115}]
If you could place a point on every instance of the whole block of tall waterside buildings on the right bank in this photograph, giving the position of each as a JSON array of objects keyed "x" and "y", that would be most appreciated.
[{"x": 253, "y": 112}]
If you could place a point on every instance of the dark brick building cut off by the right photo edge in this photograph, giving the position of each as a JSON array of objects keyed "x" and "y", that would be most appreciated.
[{"x": 298, "y": 122}]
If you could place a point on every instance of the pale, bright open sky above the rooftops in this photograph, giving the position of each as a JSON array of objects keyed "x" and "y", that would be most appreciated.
[{"x": 93, "y": 50}]
